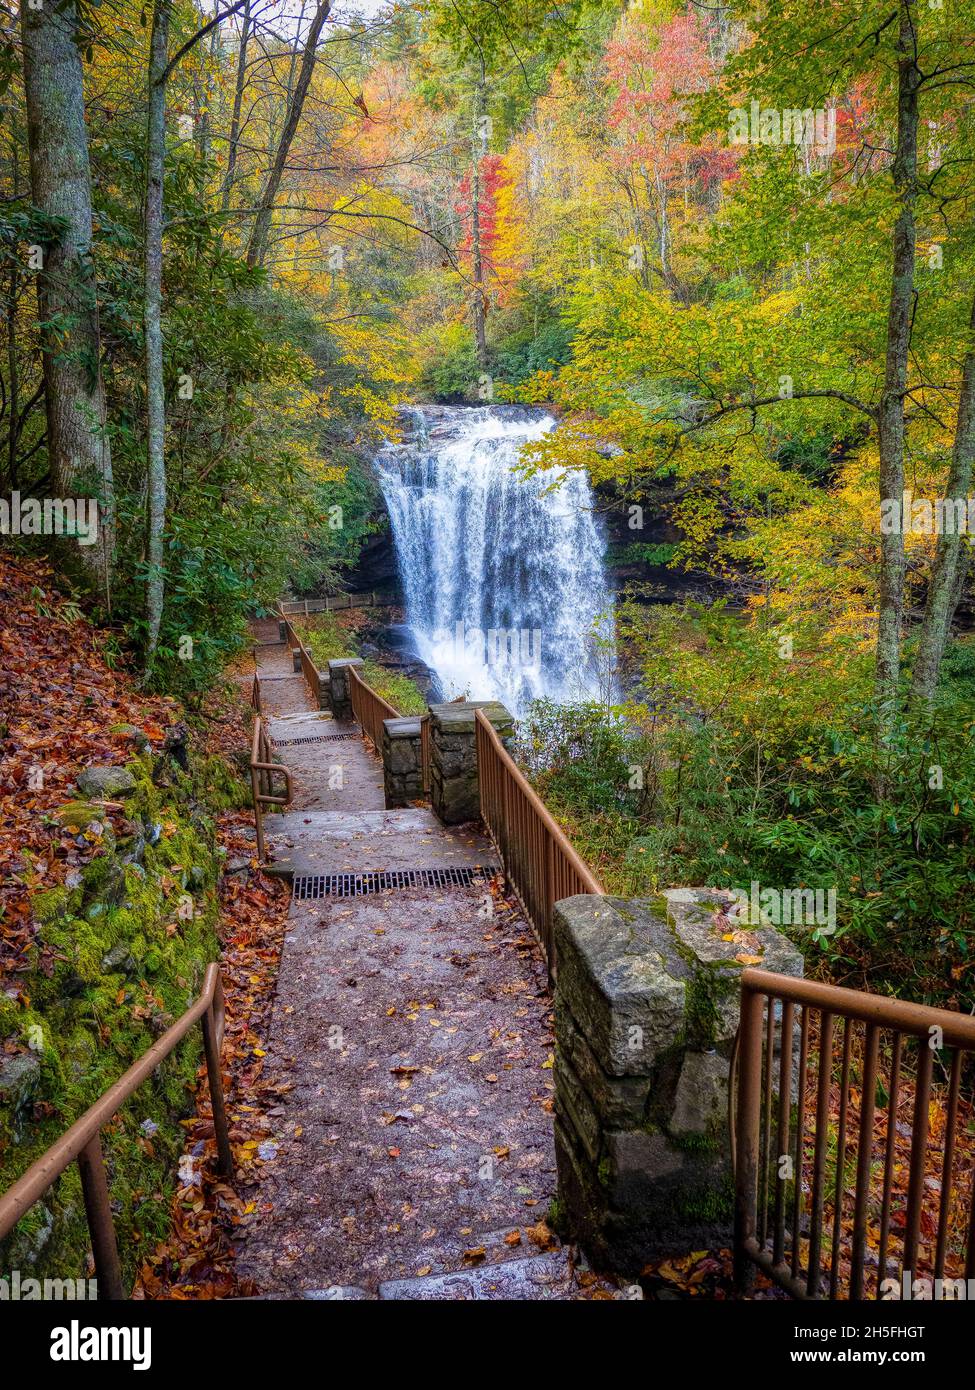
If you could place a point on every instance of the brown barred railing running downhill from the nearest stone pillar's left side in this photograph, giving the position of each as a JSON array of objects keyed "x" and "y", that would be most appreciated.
[{"x": 539, "y": 861}]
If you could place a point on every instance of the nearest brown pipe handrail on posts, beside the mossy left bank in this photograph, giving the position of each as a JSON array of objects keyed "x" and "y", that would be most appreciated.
[{"x": 83, "y": 1143}]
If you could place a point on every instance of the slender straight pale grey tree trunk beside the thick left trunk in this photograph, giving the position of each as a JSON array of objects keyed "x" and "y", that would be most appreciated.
[{"x": 159, "y": 47}]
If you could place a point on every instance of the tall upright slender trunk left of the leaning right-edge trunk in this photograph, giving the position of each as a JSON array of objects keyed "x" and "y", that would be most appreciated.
[{"x": 891, "y": 415}]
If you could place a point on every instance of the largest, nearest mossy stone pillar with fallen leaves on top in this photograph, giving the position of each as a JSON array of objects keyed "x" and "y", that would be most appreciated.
[{"x": 646, "y": 1014}]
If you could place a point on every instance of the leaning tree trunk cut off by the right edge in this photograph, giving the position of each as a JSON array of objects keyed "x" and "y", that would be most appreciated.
[{"x": 948, "y": 572}]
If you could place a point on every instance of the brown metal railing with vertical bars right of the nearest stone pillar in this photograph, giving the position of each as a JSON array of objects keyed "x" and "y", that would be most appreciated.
[{"x": 825, "y": 1206}]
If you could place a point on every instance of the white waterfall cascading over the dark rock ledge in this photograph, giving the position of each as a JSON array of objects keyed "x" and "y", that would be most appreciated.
[{"x": 504, "y": 580}]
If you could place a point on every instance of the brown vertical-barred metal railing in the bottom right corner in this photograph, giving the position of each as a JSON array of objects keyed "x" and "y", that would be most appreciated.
[{"x": 775, "y": 1234}]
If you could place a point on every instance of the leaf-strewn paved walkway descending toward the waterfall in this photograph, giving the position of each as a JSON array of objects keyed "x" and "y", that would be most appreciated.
[{"x": 414, "y": 1154}]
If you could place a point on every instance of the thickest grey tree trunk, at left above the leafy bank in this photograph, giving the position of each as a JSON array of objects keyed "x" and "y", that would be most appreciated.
[{"x": 79, "y": 450}]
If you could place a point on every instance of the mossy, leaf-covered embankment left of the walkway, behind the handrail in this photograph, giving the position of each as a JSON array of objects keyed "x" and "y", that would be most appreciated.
[{"x": 109, "y": 919}]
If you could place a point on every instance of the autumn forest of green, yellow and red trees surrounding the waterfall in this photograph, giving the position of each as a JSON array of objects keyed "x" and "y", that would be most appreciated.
[{"x": 730, "y": 247}]
